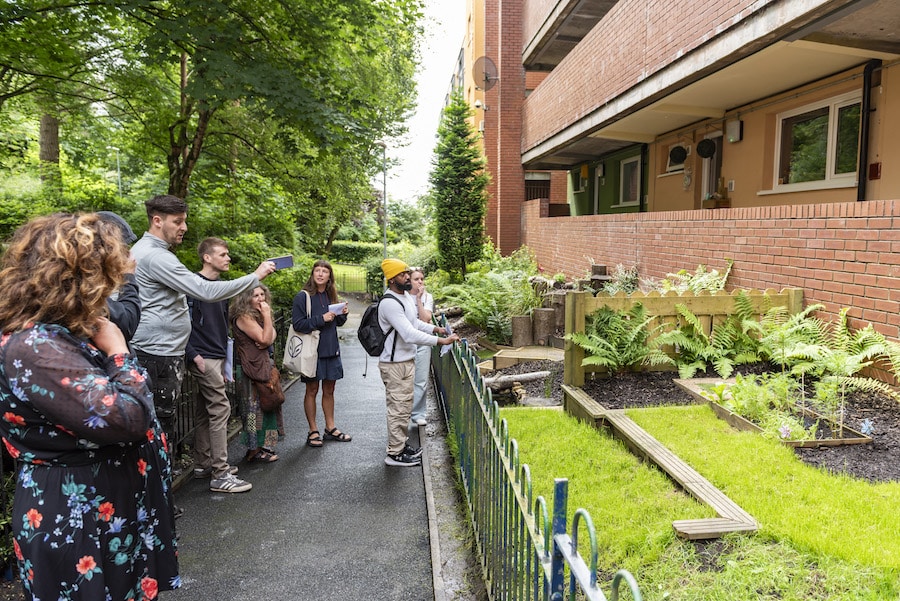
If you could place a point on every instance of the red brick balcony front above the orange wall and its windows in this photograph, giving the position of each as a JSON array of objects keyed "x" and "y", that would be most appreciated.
[{"x": 635, "y": 40}]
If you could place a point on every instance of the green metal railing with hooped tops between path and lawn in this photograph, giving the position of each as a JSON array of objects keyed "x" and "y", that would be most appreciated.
[{"x": 524, "y": 555}]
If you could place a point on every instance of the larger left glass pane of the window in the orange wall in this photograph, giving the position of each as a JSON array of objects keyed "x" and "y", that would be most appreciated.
[{"x": 804, "y": 140}]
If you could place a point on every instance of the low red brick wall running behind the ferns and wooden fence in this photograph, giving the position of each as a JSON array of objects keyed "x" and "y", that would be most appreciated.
[{"x": 840, "y": 254}]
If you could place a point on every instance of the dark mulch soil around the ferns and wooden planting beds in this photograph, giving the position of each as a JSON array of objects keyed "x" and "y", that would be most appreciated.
[{"x": 878, "y": 461}]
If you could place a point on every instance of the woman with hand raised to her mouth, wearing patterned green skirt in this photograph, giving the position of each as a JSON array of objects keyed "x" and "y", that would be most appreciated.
[{"x": 254, "y": 333}]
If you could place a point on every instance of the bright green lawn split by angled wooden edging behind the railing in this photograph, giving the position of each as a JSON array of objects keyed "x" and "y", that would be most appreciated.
[{"x": 822, "y": 536}]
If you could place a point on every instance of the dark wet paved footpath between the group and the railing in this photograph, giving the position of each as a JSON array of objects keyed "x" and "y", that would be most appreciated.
[{"x": 327, "y": 523}]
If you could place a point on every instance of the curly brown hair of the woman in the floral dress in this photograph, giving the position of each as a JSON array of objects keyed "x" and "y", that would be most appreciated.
[{"x": 60, "y": 269}]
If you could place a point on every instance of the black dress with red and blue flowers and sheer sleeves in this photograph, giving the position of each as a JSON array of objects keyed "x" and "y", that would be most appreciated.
[{"x": 92, "y": 517}]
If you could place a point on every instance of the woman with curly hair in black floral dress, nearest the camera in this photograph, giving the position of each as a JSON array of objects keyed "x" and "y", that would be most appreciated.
[{"x": 92, "y": 516}]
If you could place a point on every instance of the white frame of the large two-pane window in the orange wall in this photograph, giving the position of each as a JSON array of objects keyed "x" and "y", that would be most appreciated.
[{"x": 832, "y": 179}]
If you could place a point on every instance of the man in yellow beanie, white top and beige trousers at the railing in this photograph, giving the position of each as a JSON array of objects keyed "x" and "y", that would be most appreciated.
[{"x": 397, "y": 315}]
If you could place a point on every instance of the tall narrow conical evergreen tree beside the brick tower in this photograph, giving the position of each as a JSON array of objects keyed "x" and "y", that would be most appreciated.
[{"x": 458, "y": 189}]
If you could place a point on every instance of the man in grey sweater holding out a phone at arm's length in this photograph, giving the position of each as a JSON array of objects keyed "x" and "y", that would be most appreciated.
[{"x": 164, "y": 283}]
